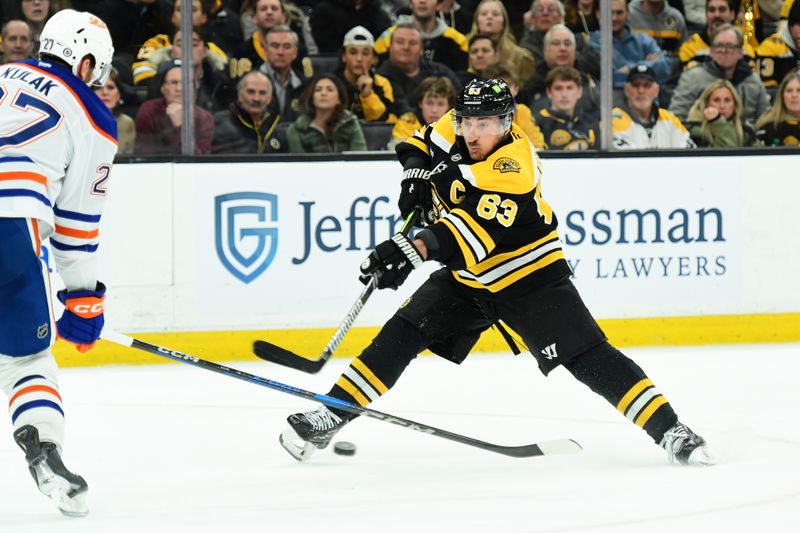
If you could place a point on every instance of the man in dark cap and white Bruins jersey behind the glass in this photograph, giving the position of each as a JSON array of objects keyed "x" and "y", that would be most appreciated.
[{"x": 640, "y": 123}]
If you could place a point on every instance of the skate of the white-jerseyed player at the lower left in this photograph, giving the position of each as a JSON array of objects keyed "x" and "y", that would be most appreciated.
[{"x": 66, "y": 489}]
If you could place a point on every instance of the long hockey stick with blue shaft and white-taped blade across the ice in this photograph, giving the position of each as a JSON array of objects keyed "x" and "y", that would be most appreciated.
[{"x": 551, "y": 447}]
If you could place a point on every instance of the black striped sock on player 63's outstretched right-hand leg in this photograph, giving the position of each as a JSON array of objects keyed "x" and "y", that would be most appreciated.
[{"x": 615, "y": 377}]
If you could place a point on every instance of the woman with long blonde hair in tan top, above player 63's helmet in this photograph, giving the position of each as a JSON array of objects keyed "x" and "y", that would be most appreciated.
[{"x": 491, "y": 18}]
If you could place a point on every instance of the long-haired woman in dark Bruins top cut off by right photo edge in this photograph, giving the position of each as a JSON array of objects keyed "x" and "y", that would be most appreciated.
[{"x": 780, "y": 126}]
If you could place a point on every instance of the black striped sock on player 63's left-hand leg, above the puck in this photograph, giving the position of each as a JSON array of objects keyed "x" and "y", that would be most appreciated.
[{"x": 377, "y": 369}]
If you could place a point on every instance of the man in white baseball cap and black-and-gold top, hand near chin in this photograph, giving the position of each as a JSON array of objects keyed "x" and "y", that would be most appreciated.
[{"x": 370, "y": 94}]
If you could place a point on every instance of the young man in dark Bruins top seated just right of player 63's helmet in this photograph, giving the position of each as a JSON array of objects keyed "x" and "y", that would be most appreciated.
[{"x": 561, "y": 122}]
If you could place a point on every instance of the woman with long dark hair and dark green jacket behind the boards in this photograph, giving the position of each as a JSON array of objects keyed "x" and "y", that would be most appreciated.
[{"x": 326, "y": 124}]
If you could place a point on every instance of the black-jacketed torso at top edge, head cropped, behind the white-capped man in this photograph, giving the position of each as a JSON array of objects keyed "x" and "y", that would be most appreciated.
[{"x": 331, "y": 19}]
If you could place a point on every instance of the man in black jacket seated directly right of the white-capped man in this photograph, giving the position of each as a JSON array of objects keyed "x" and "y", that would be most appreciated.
[{"x": 406, "y": 68}]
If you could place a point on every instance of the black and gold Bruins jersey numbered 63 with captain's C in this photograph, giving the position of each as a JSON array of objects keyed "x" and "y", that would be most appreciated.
[{"x": 494, "y": 229}]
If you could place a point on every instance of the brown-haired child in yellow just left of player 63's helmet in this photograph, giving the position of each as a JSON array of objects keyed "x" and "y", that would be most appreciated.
[{"x": 435, "y": 96}]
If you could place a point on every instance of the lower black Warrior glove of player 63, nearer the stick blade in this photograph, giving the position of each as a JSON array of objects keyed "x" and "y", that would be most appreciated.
[{"x": 391, "y": 262}]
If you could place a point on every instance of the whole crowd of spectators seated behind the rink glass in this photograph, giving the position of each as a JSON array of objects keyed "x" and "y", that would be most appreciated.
[{"x": 305, "y": 76}]
